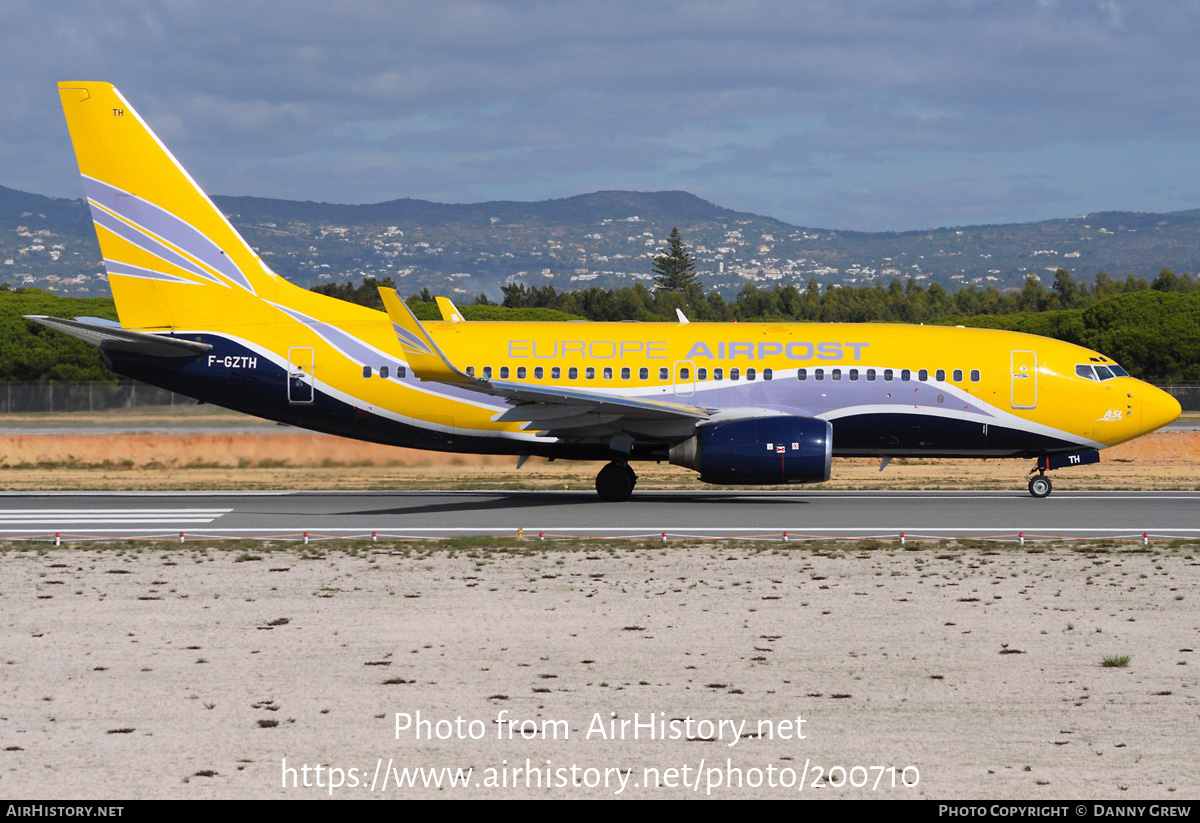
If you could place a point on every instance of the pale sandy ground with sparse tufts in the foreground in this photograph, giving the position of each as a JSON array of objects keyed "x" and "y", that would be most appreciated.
[{"x": 196, "y": 672}]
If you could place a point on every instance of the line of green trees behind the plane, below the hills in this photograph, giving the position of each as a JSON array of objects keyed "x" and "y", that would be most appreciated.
[{"x": 1150, "y": 328}]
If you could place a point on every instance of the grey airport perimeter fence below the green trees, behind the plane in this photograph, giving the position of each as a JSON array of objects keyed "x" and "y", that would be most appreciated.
[{"x": 35, "y": 398}]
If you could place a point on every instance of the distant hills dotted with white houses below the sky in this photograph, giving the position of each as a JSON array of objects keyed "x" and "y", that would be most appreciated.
[{"x": 605, "y": 239}]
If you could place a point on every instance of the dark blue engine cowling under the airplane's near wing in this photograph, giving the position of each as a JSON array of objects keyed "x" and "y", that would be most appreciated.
[{"x": 760, "y": 452}]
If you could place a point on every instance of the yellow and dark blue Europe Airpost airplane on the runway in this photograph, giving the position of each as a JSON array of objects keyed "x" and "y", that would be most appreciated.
[{"x": 202, "y": 315}]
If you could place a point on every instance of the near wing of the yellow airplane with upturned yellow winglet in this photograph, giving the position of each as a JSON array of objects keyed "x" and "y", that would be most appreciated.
[{"x": 550, "y": 411}]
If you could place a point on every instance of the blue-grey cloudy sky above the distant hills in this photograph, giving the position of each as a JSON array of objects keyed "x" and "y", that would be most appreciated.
[{"x": 875, "y": 116}]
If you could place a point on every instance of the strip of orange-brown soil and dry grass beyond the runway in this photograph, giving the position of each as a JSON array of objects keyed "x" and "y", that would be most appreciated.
[{"x": 302, "y": 460}]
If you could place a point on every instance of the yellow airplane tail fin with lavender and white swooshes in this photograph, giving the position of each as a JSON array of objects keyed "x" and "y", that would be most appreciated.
[{"x": 173, "y": 260}]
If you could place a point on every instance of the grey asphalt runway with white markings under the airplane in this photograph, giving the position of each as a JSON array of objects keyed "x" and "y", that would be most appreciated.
[{"x": 712, "y": 514}]
